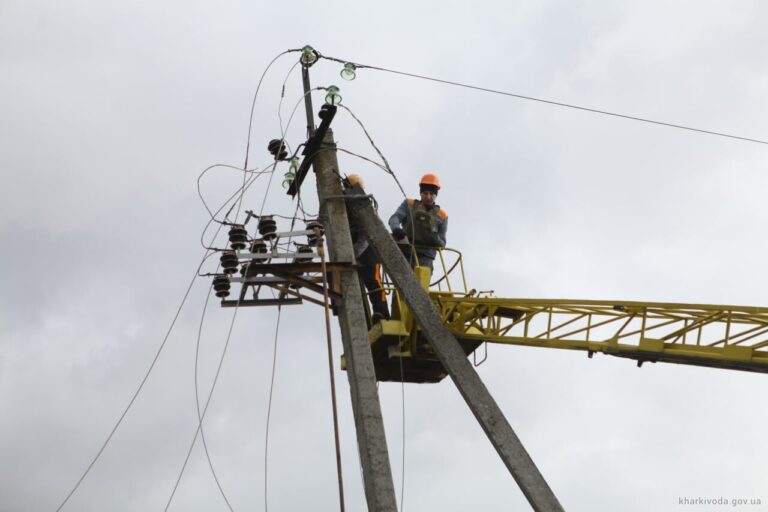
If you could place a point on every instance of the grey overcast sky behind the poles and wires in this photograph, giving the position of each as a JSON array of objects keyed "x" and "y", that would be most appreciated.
[{"x": 112, "y": 109}]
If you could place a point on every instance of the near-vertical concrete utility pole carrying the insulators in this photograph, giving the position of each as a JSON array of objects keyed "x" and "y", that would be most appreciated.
[{"x": 371, "y": 440}]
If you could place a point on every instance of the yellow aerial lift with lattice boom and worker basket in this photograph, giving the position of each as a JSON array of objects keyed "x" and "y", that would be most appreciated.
[{"x": 729, "y": 337}]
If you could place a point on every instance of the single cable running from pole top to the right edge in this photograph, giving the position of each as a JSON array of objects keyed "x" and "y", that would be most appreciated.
[{"x": 550, "y": 102}]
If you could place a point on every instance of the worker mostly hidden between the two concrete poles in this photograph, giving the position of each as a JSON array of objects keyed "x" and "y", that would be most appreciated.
[{"x": 369, "y": 268}]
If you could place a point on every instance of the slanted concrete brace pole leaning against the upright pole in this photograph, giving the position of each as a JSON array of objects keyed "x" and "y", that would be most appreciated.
[{"x": 448, "y": 350}]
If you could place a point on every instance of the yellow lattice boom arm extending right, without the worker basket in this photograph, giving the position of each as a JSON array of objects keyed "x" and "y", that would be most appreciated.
[{"x": 732, "y": 337}]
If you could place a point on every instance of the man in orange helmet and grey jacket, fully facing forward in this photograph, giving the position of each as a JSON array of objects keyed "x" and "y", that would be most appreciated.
[{"x": 422, "y": 222}]
